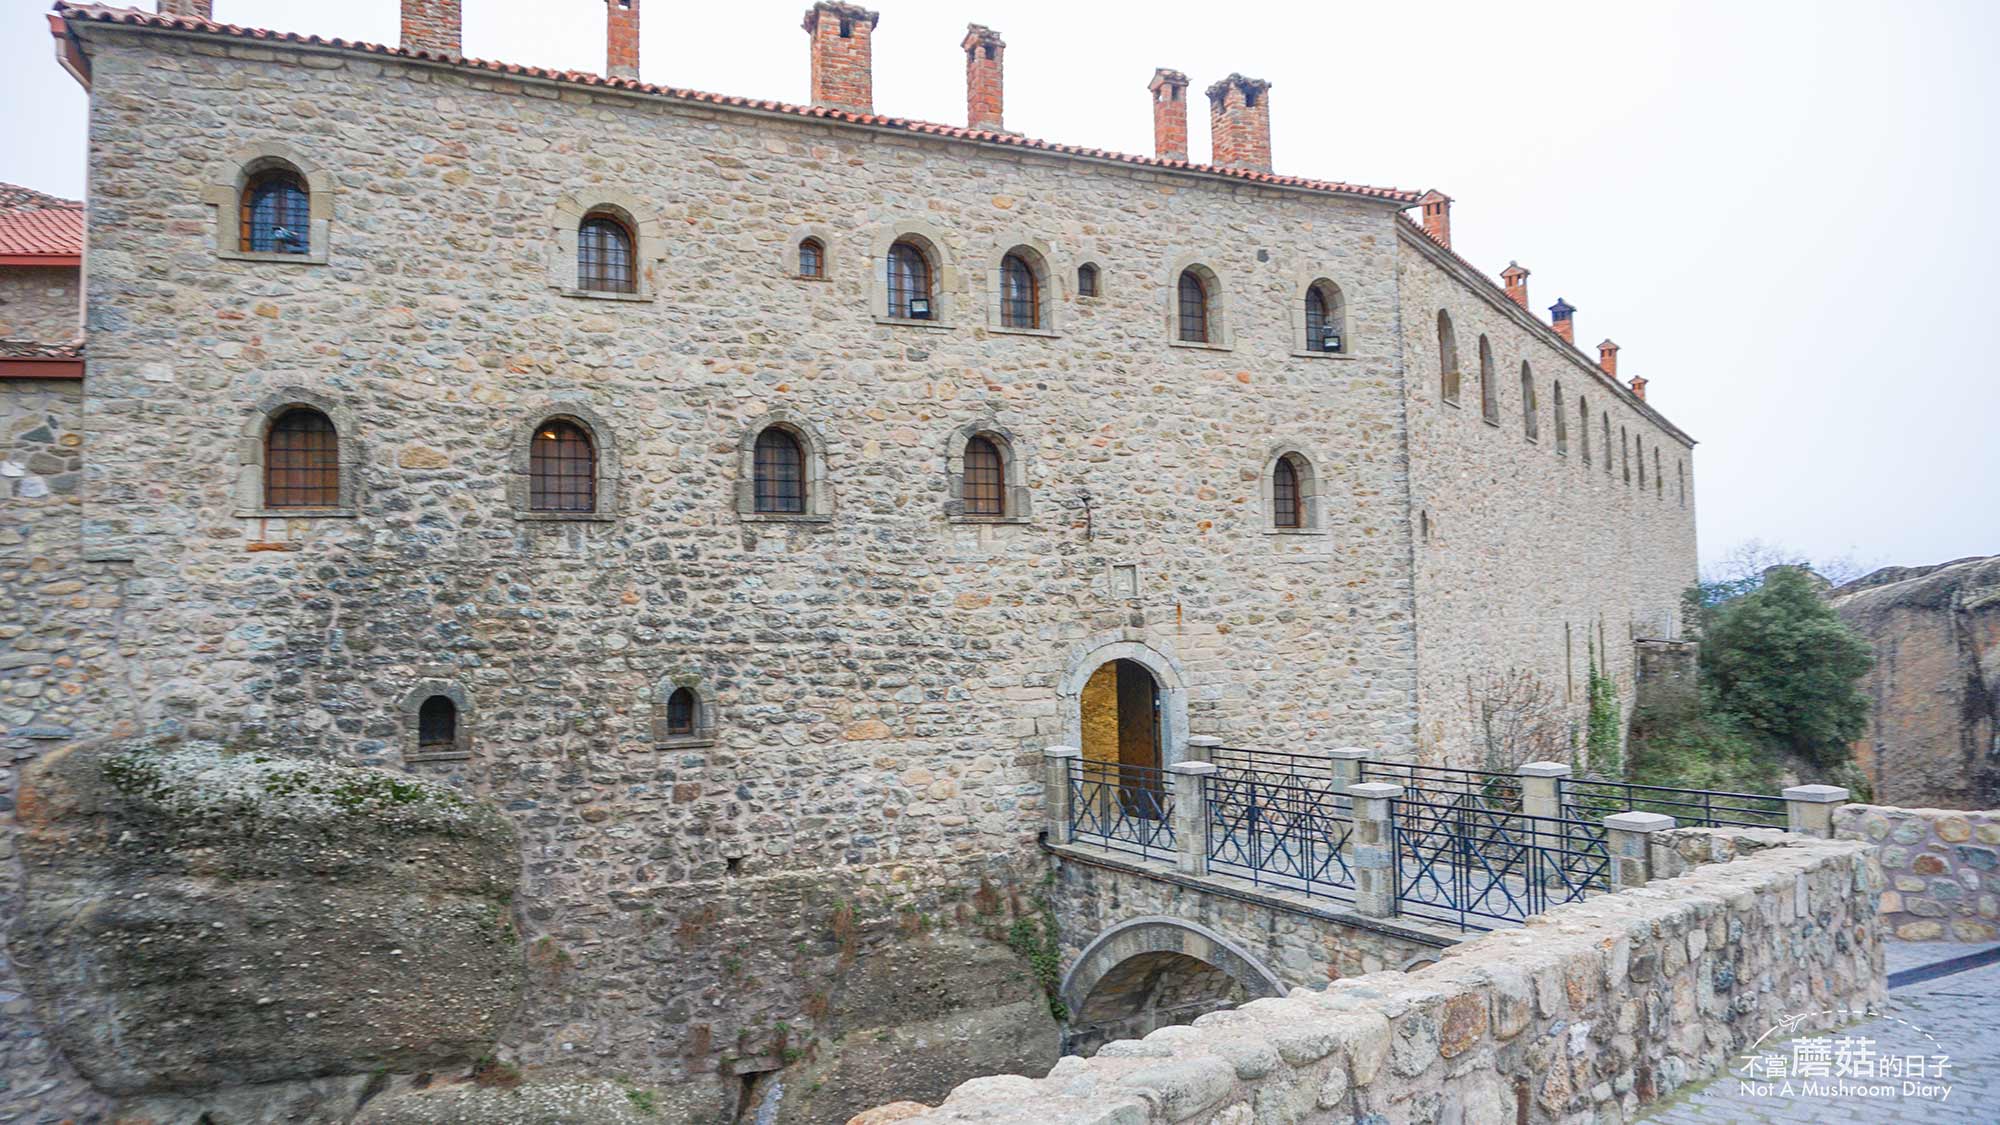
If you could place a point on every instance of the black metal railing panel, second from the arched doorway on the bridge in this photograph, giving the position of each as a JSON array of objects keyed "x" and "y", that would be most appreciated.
[{"x": 1281, "y": 830}]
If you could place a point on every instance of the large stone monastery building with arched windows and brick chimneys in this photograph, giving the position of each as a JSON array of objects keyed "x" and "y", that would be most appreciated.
[{"x": 745, "y": 493}]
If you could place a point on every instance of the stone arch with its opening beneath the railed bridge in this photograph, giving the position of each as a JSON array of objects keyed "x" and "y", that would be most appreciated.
[{"x": 1155, "y": 972}]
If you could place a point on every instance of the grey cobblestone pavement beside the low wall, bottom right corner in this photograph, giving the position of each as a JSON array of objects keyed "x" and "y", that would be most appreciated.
[{"x": 1955, "y": 1016}]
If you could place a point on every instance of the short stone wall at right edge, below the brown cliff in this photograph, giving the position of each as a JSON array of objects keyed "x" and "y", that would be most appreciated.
[{"x": 1941, "y": 870}]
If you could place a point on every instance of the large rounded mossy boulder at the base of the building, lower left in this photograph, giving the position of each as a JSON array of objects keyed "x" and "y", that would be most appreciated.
[{"x": 199, "y": 920}]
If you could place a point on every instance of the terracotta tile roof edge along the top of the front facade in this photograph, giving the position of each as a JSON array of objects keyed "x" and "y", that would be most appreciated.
[{"x": 131, "y": 17}]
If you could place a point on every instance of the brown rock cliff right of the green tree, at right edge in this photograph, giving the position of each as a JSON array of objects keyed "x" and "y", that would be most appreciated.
[{"x": 1935, "y": 722}]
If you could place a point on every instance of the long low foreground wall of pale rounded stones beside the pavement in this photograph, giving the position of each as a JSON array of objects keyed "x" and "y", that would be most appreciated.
[{"x": 1587, "y": 1014}]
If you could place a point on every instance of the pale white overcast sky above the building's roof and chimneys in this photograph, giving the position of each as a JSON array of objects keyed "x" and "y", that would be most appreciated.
[{"x": 1783, "y": 211}]
